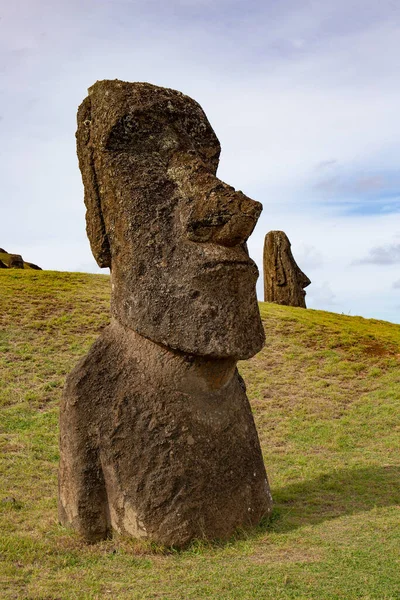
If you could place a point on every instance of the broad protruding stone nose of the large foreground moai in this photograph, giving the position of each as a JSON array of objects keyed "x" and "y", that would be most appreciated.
[{"x": 222, "y": 216}]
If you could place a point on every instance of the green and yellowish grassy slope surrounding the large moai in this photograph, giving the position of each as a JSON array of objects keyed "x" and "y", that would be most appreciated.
[{"x": 325, "y": 392}]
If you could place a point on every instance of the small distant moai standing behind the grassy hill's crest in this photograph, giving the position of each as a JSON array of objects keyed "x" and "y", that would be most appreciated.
[{"x": 284, "y": 282}]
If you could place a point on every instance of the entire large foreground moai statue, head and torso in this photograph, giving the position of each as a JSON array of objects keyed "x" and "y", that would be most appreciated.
[{"x": 157, "y": 438}]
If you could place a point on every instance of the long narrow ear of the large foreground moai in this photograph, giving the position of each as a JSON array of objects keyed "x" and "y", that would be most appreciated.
[{"x": 95, "y": 227}]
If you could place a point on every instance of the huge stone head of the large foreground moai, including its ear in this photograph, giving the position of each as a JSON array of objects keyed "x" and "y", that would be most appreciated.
[{"x": 173, "y": 235}]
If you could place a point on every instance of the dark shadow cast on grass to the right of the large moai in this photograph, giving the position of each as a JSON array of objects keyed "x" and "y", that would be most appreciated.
[{"x": 332, "y": 495}]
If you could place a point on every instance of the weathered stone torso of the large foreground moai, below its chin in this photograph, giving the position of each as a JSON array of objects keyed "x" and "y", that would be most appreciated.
[{"x": 159, "y": 444}]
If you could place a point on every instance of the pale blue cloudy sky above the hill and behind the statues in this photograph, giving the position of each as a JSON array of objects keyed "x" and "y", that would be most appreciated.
[{"x": 304, "y": 97}]
